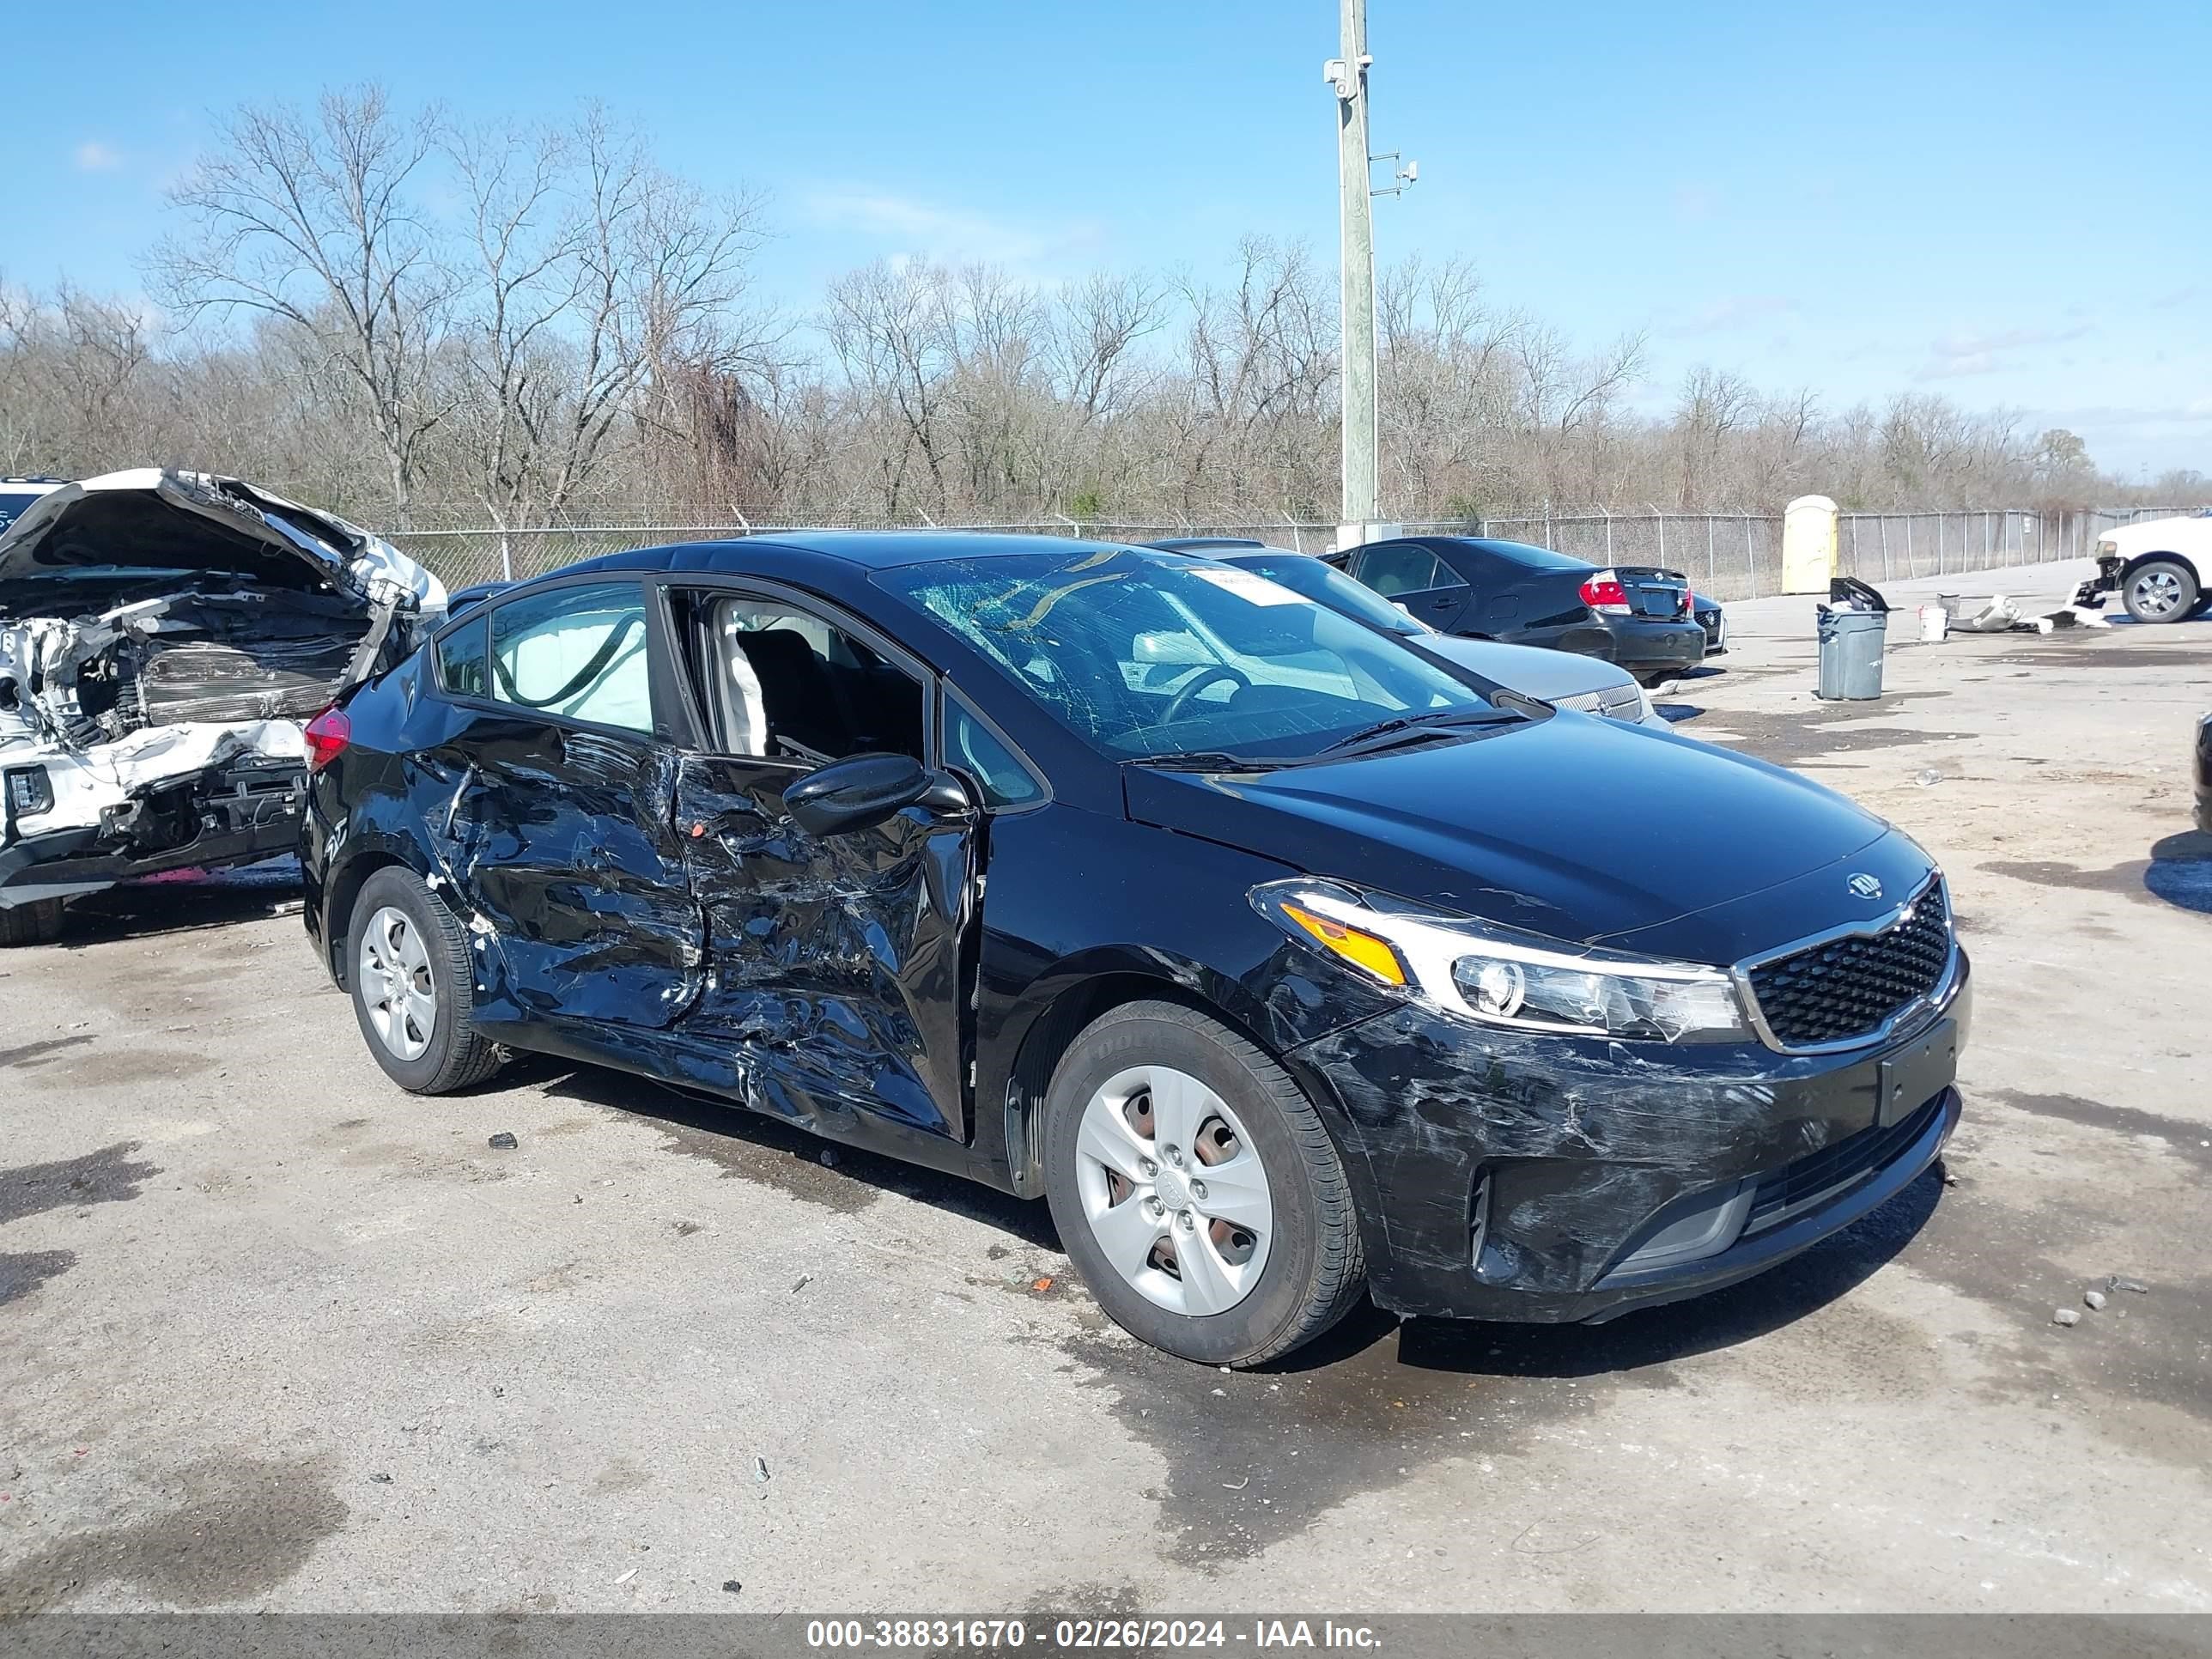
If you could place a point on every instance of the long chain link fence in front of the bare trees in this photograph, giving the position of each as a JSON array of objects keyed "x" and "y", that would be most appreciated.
[{"x": 1726, "y": 556}]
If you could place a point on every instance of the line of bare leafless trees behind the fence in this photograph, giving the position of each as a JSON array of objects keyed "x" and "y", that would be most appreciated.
[{"x": 426, "y": 322}]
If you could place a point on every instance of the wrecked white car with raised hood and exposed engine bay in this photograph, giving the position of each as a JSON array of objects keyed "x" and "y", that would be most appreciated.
[{"x": 163, "y": 643}]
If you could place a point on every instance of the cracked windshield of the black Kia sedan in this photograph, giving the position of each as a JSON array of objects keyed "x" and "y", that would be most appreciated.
[{"x": 1156, "y": 656}]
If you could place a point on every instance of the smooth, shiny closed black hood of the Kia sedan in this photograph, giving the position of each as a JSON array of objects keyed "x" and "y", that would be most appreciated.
[{"x": 1578, "y": 828}]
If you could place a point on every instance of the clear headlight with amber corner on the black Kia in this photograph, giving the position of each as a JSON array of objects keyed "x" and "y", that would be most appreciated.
[{"x": 1503, "y": 977}]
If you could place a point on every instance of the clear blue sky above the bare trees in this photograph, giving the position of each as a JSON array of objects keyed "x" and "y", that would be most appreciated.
[{"x": 2007, "y": 205}]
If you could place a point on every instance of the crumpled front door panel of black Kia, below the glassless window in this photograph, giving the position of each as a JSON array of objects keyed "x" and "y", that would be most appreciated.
[{"x": 835, "y": 963}]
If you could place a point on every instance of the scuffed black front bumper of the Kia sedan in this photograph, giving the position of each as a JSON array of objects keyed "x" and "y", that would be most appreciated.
[{"x": 1561, "y": 1180}]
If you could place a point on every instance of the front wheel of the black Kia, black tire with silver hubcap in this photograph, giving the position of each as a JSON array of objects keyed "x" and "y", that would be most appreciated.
[{"x": 1302, "y": 1271}]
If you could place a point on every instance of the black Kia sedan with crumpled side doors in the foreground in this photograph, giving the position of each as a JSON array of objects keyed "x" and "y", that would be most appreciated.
[{"x": 1275, "y": 957}]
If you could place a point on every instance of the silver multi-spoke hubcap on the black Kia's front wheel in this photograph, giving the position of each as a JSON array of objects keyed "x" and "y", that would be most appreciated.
[{"x": 1173, "y": 1191}]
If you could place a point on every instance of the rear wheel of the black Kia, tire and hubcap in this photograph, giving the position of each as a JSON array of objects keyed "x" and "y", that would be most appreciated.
[{"x": 417, "y": 1016}]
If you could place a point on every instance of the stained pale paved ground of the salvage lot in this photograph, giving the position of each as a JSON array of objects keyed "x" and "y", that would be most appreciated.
[{"x": 275, "y": 1335}]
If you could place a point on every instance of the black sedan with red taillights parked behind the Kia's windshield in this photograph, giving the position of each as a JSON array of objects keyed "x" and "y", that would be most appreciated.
[{"x": 1470, "y": 585}]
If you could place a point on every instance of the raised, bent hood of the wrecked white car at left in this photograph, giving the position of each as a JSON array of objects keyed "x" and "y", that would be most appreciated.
[{"x": 152, "y": 523}]
